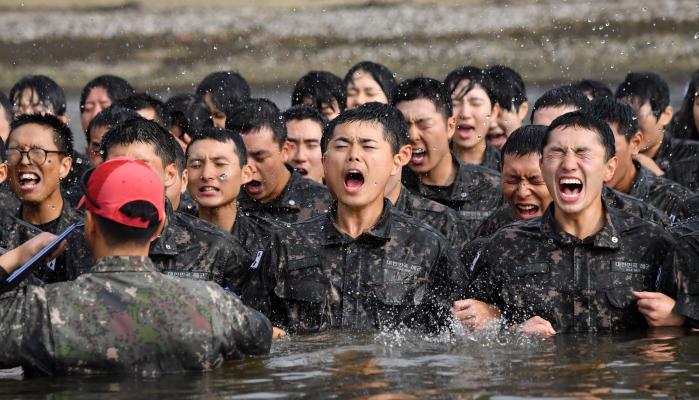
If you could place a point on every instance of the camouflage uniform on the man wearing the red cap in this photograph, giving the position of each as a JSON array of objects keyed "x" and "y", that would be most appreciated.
[{"x": 124, "y": 317}]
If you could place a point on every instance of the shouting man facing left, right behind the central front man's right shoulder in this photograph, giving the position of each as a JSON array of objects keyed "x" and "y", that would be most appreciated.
[{"x": 472, "y": 190}]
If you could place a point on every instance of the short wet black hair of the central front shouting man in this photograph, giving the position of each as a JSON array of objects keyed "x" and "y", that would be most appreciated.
[{"x": 391, "y": 120}]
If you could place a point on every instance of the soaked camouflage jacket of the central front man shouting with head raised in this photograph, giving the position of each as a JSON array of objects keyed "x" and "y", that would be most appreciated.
[{"x": 316, "y": 278}]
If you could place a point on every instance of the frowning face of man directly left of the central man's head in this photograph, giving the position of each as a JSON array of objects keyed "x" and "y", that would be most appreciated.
[{"x": 303, "y": 141}]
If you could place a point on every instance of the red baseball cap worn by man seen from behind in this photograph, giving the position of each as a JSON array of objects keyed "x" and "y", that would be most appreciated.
[{"x": 119, "y": 181}]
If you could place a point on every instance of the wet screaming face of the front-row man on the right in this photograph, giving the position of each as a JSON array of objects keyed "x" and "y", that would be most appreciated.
[{"x": 575, "y": 169}]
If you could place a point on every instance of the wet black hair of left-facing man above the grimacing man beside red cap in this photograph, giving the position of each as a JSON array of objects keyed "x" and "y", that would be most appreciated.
[{"x": 256, "y": 114}]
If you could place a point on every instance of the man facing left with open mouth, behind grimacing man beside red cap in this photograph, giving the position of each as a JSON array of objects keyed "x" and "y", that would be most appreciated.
[{"x": 275, "y": 192}]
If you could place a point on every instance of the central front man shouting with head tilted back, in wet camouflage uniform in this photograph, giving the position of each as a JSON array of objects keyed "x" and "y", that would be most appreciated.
[{"x": 363, "y": 265}]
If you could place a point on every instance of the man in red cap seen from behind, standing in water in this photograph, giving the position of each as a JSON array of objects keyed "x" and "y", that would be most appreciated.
[{"x": 123, "y": 316}]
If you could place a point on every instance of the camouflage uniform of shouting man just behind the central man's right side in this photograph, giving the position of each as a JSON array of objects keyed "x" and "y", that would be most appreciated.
[{"x": 475, "y": 192}]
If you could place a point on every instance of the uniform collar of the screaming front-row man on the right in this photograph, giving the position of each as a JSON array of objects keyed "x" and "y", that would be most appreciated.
[{"x": 607, "y": 237}]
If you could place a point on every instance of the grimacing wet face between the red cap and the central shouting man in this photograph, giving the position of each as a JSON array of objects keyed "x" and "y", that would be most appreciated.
[{"x": 215, "y": 175}]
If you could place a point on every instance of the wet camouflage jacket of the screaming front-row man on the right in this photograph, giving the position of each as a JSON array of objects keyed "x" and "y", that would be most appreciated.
[{"x": 532, "y": 268}]
